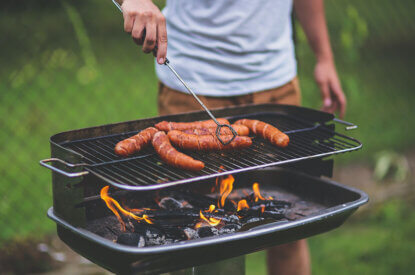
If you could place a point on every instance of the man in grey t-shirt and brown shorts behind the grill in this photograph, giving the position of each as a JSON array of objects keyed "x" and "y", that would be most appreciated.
[{"x": 234, "y": 52}]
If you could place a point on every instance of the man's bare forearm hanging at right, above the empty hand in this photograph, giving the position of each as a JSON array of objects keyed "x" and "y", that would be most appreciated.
[{"x": 311, "y": 15}]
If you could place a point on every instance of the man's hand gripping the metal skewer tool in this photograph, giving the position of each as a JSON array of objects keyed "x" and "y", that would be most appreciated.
[{"x": 147, "y": 26}]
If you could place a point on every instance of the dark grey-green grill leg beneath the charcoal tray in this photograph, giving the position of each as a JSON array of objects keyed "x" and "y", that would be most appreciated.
[{"x": 235, "y": 266}]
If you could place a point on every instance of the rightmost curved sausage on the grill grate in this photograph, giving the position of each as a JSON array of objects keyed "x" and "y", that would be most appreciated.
[{"x": 266, "y": 131}]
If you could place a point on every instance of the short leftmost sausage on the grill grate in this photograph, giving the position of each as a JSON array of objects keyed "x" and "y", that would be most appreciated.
[{"x": 135, "y": 143}]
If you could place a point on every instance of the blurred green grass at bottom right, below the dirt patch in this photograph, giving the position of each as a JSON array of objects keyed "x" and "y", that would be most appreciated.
[{"x": 379, "y": 243}]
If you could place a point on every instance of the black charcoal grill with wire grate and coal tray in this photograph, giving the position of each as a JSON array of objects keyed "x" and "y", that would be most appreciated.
[{"x": 83, "y": 162}]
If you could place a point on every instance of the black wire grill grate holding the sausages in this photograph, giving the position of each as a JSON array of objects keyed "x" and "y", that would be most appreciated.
[{"x": 145, "y": 171}]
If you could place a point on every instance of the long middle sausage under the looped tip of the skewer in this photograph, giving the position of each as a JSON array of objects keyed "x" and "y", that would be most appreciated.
[{"x": 207, "y": 142}]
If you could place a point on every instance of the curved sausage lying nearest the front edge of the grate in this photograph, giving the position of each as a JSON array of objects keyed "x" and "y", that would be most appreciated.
[{"x": 173, "y": 157}]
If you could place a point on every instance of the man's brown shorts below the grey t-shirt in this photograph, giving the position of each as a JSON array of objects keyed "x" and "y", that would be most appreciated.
[{"x": 171, "y": 101}]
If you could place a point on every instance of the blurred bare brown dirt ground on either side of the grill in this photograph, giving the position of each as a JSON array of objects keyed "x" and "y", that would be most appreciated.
[{"x": 356, "y": 175}]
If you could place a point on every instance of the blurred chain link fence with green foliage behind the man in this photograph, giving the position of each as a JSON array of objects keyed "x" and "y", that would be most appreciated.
[{"x": 69, "y": 65}]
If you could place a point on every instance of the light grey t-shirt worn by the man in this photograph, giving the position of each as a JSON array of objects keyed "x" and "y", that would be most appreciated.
[{"x": 229, "y": 47}]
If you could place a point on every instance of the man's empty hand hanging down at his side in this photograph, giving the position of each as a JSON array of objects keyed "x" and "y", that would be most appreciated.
[{"x": 331, "y": 91}]
